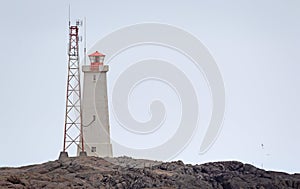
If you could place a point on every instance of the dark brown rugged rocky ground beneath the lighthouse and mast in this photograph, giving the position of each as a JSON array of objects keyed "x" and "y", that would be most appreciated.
[{"x": 124, "y": 172}]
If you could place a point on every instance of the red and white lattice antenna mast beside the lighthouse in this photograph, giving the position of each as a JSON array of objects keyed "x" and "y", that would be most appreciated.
[{"x": 73, "y": 135}]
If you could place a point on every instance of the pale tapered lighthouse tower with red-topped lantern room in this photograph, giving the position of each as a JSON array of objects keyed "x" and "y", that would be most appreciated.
[{"x": 95, "y": 120}]
